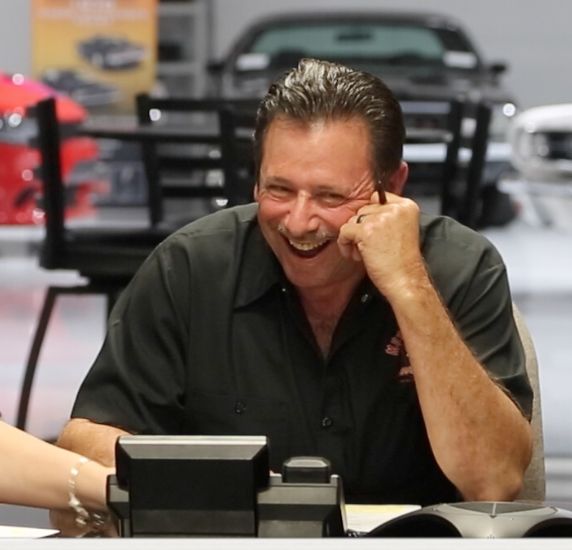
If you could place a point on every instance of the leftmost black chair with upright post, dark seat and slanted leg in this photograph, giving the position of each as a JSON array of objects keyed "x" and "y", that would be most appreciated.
[{"x": 106, "y": 257}]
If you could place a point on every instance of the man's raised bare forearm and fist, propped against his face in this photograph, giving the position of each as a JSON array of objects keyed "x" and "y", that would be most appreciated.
[{"x": 479, "y": 437}]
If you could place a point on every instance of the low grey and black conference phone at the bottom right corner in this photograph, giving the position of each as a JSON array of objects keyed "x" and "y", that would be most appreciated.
[{"x": 480, "y": 520}]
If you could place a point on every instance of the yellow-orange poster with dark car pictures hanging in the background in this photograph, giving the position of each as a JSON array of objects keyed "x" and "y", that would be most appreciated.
[{"x": 100, "y": 52}]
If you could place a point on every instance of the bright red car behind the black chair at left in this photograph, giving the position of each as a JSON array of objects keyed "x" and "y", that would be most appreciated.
[{"x": 20, "y": 187}]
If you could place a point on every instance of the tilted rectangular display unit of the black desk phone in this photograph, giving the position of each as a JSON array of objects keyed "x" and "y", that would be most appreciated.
[{"x": 187, "y": 485}]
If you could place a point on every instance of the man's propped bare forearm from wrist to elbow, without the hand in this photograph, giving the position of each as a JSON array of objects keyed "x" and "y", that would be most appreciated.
[{"x": 479, "y": 438}]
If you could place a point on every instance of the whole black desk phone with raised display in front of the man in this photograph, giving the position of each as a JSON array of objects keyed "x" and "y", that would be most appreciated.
[{"x": 168, "y": 486}]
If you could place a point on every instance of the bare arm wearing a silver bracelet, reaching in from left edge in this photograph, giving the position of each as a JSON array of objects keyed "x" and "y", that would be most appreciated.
[{"x": 36, "y": 473}]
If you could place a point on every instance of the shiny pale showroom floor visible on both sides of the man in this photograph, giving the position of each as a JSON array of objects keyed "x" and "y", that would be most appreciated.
[{"x": 537, "y": 250}]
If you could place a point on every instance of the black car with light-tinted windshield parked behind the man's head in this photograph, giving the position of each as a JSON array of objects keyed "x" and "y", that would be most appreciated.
[{"x": 426, "y": 59}]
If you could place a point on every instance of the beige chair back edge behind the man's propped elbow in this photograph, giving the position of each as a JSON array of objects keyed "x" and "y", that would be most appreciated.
[{"x": 534, "y": 487}]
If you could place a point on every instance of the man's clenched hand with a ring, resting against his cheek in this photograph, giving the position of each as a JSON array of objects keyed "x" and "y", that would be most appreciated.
[{"x": 385, "y": 237}]
